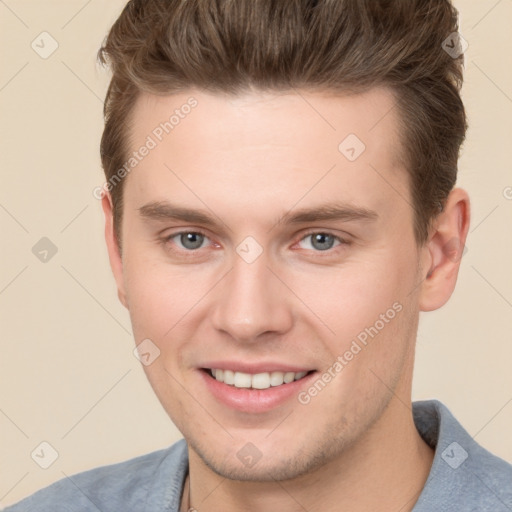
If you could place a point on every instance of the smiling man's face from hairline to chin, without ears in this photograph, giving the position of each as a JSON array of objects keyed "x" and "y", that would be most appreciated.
[{"x": 266, "y": 287}]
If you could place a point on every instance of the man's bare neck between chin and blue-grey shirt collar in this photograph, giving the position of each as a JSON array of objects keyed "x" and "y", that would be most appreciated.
[{"x": 386, "y": 470}]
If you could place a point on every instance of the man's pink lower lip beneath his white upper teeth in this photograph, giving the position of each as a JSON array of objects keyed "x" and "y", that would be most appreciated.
[{"x": 254, "y": 400}]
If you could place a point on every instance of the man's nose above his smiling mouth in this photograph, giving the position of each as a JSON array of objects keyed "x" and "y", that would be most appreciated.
[{"x": 252, "y": 302}]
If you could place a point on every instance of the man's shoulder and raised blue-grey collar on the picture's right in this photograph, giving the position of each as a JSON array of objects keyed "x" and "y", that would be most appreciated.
[{"x": 464, "y": 475}]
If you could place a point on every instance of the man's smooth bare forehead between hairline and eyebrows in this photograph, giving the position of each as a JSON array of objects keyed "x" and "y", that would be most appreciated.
[{"x": 266, "y": 148}]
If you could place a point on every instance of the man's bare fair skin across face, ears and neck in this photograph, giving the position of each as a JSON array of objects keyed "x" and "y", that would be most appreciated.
[{"x": 248, "y": 160}]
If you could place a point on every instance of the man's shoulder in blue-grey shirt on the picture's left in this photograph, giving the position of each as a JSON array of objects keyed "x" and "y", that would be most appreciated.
[{"x": 122, "y": 486}]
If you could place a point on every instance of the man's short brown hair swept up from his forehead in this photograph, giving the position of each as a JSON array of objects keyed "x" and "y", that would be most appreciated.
[{"x": 230, "y": 46}]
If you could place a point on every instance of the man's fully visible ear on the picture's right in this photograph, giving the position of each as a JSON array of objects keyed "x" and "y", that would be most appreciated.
[{"x": 443, "y": 251}]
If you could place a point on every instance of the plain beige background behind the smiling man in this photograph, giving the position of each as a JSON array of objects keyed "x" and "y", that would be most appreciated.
[{"x": 68, "y": 373}]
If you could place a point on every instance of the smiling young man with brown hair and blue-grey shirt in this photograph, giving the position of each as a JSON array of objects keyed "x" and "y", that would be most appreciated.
[{"x": 280, "y": 206}]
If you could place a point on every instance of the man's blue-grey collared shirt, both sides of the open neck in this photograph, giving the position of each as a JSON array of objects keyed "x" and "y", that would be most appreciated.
[{"x": 464, "y": 477}]
